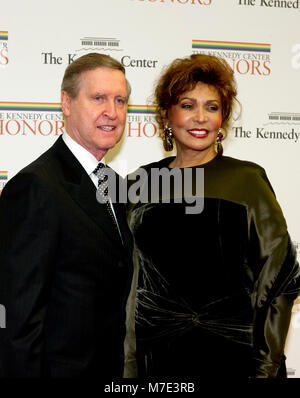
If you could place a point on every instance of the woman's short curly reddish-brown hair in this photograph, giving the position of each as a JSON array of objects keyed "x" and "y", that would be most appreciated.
[{"x": 184, "y": 73}]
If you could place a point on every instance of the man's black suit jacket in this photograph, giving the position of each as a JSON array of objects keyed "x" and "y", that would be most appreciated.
[{"x": 64, "y": 273}]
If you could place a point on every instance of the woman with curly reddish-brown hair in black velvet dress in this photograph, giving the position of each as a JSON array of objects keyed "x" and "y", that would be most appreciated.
[{"x": 216, "y": 286}]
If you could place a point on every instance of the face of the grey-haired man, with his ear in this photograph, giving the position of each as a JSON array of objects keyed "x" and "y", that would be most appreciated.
[{"x": 96, "y": 118}]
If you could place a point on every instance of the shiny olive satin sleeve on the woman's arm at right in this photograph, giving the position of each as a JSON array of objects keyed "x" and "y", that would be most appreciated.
[{"x": 277, "y": 278}]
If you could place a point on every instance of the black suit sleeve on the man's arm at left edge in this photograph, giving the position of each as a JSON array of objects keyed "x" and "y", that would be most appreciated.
[{"x": 27, "y": 233}]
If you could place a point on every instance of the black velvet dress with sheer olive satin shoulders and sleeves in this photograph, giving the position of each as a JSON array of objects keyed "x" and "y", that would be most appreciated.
[{"x": 215, "y": 289}]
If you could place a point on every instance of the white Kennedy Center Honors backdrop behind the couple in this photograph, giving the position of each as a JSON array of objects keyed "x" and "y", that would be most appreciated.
[{"x": 258, "y": 38}]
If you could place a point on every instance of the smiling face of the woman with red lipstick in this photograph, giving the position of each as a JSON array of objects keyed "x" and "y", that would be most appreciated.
[{"x": 196, "y": 119}]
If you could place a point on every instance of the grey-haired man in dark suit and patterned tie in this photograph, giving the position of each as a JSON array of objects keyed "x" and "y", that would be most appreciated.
[{"x": 65, "y": 261}]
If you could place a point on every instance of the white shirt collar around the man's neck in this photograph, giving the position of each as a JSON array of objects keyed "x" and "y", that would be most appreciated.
[{"x": 84, "y": 157}]
